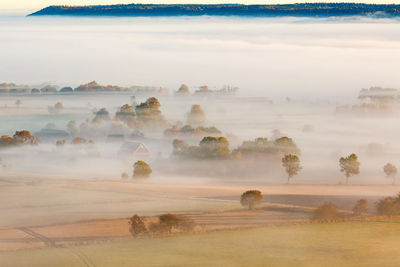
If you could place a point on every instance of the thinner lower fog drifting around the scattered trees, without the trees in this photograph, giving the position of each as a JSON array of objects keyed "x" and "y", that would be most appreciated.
[{"x": 331, "y": 135}]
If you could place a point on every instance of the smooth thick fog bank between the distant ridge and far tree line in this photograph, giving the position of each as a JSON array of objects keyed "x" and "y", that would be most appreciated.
[{"x": 308, "y": 58}]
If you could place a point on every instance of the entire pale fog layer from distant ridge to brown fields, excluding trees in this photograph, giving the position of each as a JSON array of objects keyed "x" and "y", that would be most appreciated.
[{"x": 317, "y": 63}]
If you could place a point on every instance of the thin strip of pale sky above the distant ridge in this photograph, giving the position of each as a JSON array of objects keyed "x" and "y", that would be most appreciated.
[{"x": 38, "y": 4}]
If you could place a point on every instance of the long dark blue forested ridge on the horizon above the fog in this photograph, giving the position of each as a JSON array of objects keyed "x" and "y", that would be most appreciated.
[{"x": 298, "y": 10}]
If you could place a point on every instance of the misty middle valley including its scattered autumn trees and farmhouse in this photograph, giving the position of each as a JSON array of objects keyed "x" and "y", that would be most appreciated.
[{"x": 194, "y": 133}]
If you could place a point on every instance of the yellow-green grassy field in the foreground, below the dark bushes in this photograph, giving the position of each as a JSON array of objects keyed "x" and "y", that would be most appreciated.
[{"x": 374, "y": 243}]
